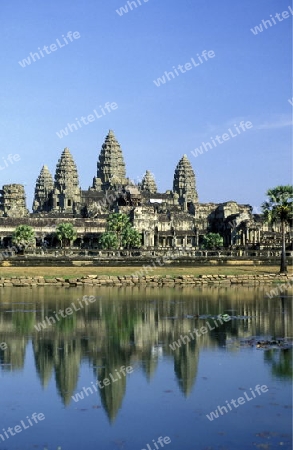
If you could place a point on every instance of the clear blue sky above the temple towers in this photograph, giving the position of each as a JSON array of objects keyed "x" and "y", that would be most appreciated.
[{"x": 117, "y": 58}]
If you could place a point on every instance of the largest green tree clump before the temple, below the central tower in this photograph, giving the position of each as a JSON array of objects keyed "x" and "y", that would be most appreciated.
[{"x": 120, "y": 233}]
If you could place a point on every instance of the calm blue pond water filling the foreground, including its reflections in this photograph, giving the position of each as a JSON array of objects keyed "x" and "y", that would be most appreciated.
[{"x": 166, "y": 393}]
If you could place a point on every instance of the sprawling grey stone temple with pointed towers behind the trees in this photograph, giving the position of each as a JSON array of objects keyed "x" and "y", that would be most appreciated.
[{"x": 174, "y": 219}]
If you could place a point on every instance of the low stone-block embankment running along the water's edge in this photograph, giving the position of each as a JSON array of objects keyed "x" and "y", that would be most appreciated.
[{"x": 153, "y": 280}]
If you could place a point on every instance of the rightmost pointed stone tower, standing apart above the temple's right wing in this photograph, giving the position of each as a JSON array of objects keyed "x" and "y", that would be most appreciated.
[{"x": 184, "y": 183}]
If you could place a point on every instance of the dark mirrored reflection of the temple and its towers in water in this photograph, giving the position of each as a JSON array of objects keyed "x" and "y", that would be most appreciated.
[{"x": 134, "y": 327}]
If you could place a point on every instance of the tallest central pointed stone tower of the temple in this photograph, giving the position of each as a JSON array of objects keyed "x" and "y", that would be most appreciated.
[{"x": 111, "y": 166}]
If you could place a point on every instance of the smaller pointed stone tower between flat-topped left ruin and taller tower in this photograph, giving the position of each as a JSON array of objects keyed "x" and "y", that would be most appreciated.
[{"x": 43, "y": 191}]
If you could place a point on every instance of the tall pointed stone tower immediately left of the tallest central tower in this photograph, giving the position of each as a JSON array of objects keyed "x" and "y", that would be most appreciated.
[{"x": 66, "y": 193}]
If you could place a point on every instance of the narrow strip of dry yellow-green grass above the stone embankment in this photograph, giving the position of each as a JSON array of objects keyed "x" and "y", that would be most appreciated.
[{"x": 77, "y": 272}]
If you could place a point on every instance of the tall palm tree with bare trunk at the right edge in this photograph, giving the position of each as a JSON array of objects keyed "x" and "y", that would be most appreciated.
[{"x": 278, "y": 208}]
